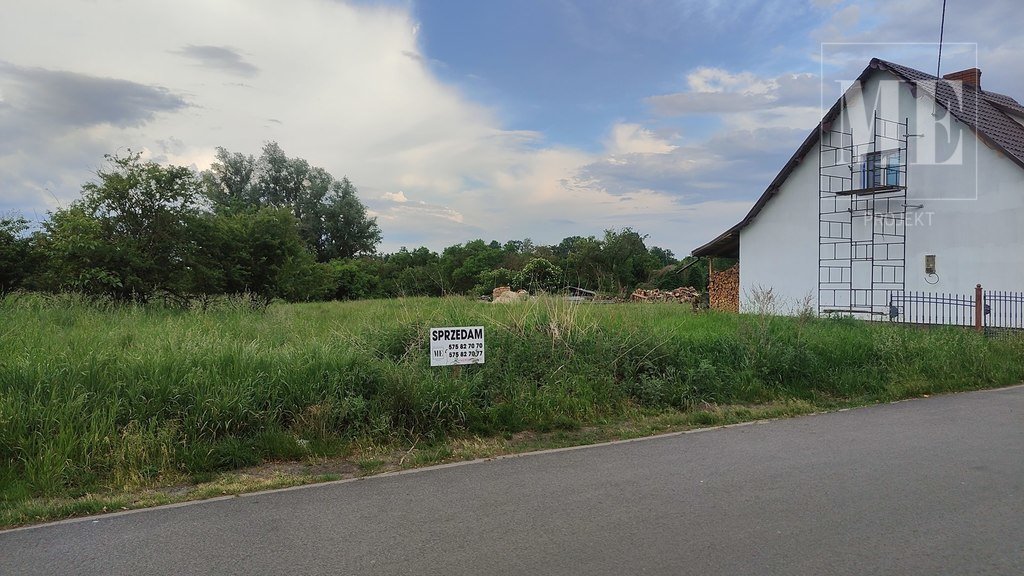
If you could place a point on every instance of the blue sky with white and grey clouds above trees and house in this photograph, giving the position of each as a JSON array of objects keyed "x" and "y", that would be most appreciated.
[{"x": 462, "y": 119}]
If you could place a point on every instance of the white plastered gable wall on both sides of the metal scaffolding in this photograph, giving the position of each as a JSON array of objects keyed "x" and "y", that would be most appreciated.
[{"x": 976, "y": 238}]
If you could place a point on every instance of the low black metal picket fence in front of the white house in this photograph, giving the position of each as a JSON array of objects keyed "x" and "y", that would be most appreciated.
[{"x": 985, "y": 309}]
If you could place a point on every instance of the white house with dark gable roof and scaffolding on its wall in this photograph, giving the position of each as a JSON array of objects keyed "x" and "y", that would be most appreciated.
[{"x": 911, "y": 183}]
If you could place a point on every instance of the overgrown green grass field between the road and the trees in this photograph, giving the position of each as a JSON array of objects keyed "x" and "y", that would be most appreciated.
[{"x": 97, "y": 398}]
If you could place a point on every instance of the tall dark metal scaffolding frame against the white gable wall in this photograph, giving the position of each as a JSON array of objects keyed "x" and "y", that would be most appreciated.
[{"x": 862, "y": 219}]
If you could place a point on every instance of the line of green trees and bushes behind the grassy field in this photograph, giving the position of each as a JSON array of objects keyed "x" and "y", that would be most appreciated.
[{"x": 276, "y": 227}]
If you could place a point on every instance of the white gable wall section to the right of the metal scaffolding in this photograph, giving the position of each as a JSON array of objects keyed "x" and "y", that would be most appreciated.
[{"x": 972, "y": 210}]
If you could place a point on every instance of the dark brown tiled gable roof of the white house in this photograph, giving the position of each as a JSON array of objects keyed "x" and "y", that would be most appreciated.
[{"x": 984, "y": 112}]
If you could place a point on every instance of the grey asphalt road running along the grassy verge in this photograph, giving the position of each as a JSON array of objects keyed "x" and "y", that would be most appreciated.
[{"x": 932, "y": 486}]
